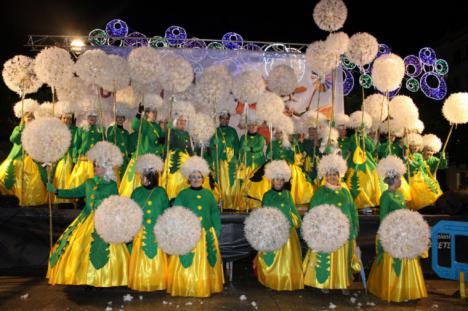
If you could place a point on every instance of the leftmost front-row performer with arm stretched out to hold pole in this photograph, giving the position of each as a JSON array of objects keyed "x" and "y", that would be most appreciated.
[{"x": 81, "y": 256}]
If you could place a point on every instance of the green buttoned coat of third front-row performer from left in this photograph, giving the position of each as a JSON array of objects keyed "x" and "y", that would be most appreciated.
[{"x": 203, "y": 204}]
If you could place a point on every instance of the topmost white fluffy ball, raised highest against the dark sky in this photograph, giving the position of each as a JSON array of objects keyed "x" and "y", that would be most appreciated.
[{"x": 330, "y": 15}]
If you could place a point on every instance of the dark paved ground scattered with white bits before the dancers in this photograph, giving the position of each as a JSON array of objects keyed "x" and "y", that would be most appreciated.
[{"x": 32, "y": 292}]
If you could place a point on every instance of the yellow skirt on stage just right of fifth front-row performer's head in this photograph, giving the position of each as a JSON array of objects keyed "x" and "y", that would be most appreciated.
[{"x": 368, "y": 187}]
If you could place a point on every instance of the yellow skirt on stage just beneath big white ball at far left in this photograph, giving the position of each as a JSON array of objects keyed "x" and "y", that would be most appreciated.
[{"x": 28, "y": 186}]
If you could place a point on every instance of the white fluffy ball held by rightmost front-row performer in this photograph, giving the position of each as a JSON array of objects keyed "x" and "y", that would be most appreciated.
[{"x": 404, "y": 234}]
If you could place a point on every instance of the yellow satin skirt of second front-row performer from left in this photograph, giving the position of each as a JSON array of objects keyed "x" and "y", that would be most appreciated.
[{"x": 144, "y": 273}]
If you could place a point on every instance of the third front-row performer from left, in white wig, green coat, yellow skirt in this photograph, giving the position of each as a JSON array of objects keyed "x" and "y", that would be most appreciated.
[{"x": 200, "y": 272}]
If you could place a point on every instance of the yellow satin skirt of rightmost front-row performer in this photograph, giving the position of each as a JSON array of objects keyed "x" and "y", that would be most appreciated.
[{"x": 384, "y": 283}]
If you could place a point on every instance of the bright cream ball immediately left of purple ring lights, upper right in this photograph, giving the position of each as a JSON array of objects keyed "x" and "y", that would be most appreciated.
[{"x": 388, "y": 71}]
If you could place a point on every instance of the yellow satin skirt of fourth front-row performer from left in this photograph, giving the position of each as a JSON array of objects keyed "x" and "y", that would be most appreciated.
[{"x": 285, "y": 273}]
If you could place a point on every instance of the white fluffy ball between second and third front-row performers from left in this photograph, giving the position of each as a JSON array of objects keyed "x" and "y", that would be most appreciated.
[{"x": 177, "y": 231}]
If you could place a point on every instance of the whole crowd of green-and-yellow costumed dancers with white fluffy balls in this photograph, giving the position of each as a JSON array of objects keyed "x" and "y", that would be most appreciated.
[{"x": 156, "y": 157}]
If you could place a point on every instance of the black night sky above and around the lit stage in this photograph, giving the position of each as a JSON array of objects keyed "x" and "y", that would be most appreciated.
[{"x": 406, "y": 26}]
